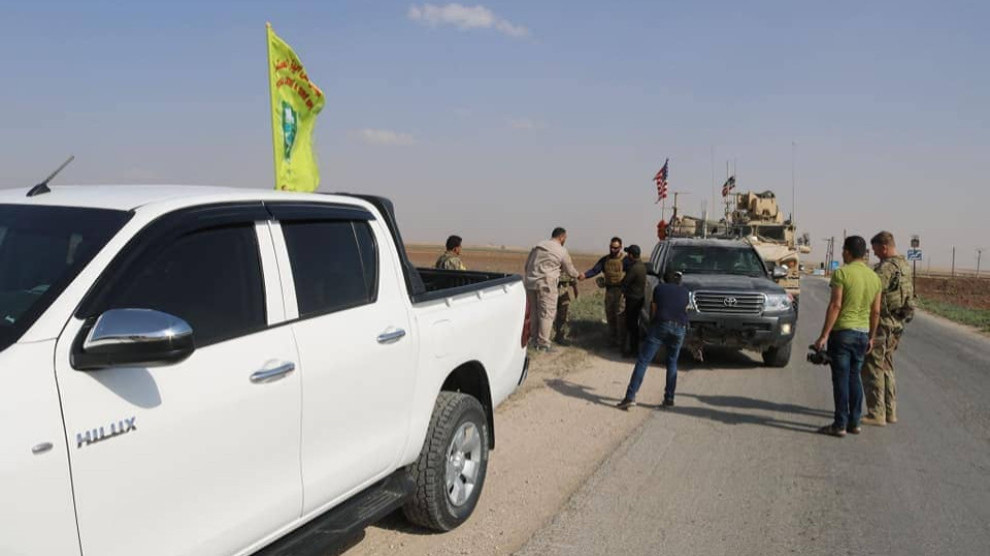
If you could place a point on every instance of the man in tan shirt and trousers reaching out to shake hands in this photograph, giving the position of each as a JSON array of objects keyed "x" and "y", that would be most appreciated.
[{"x": 543, "y": 268}]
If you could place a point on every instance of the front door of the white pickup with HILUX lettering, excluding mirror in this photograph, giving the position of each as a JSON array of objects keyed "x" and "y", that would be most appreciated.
[{"x": 199, "y": 456}]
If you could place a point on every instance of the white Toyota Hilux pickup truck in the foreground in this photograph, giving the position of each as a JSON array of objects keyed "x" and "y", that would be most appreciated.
[{"x": 196, "y": 370}]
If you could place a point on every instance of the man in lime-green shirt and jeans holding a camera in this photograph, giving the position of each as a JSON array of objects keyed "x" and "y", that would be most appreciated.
[{"x": 851, "y": 322}]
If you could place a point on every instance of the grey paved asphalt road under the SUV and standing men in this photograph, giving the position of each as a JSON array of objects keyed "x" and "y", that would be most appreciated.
[{"x": 737, "y": 468}]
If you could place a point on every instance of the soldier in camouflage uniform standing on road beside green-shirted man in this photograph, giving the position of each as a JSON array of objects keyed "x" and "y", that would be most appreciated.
[{"x": 897, "y": 305}]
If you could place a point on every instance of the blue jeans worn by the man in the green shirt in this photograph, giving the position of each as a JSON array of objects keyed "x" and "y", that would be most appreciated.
[{"x": 847, "y": 348}]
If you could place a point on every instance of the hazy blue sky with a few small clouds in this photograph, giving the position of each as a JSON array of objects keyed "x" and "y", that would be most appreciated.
[{"x": 501, "y": 120}]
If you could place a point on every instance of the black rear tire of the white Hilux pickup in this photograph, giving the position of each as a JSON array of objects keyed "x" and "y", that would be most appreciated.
[{"x": 431, "y": 505}]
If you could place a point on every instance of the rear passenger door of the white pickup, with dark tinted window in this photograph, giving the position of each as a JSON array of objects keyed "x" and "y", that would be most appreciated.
[{"x": 356, "y": 346}]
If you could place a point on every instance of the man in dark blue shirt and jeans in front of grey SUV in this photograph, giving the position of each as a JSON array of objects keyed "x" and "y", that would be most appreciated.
[{"x": 668, "y": 325}]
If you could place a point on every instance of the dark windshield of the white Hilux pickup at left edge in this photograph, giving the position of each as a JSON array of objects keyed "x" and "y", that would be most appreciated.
[{"x": 41, "y": 250}]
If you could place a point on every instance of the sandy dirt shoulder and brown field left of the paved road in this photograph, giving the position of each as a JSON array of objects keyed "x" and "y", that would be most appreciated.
[{"x": 567, "y": 400}]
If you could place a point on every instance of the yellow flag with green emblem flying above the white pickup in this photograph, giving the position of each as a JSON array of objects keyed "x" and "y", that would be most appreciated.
[{"x": 296, "y": 101}]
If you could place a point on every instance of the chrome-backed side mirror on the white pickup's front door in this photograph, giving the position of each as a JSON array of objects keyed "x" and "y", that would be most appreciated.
[{"x": 134, "y": 337}]
